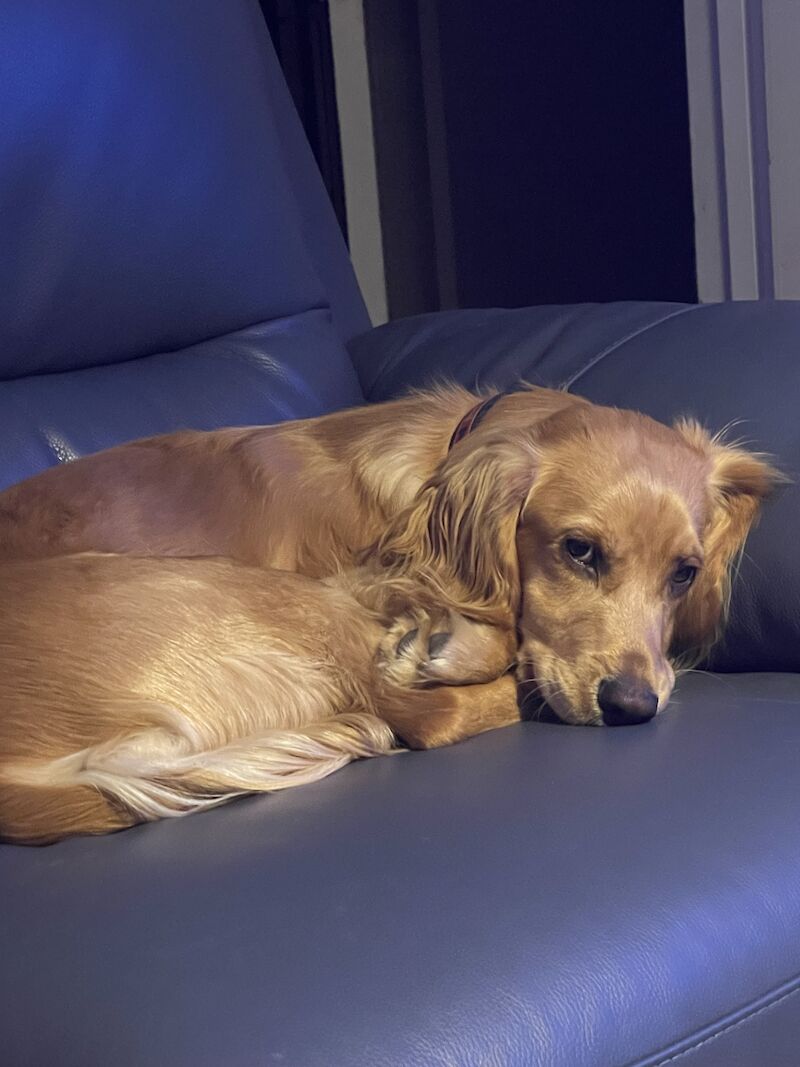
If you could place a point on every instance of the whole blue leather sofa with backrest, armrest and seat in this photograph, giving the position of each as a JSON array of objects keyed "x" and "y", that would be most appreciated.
[{"x": 541, "y": 896}]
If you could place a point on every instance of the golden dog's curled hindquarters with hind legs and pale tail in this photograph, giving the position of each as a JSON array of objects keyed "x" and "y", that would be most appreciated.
[{"x": 139, "y": 689}]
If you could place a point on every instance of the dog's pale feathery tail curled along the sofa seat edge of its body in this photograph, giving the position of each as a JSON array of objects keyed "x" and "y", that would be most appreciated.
[{"x": 161, "y": 773}]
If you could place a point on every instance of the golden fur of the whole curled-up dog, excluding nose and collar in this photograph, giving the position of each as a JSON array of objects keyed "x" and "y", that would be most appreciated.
[{"x": 472, "y": 544}]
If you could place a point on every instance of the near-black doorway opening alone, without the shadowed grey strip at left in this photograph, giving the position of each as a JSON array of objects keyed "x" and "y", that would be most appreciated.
[{"x": 568, "y": 133}]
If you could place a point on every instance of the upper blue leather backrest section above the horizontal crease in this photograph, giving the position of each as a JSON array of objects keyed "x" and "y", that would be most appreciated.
[{"x": 146, "y": 203}]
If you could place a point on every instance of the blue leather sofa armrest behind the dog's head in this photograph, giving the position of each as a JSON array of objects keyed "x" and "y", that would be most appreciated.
[{"x": 731, "y": 365}]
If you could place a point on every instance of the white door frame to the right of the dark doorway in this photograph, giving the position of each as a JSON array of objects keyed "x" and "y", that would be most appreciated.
[{"x": 744, "y": 81}]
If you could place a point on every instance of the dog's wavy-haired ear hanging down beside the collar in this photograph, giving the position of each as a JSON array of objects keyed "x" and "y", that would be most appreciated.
[{"x": 460, "y": 531}]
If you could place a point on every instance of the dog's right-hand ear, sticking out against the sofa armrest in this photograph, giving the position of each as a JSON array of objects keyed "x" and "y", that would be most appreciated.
[{"x": 739, "y": 483}]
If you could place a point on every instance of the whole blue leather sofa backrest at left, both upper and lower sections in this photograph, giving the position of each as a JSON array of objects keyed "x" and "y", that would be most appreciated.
[{"x": 169, "y": 258}]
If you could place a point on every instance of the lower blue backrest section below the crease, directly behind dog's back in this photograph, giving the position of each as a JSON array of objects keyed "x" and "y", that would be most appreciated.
[{"x": 295, "y": 368}]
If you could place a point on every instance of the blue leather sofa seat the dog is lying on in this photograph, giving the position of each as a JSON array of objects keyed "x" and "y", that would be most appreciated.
[{"x": 542, "y": 895}]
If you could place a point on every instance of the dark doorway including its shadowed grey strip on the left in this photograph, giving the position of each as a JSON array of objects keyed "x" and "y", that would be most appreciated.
[{"x": 556, "y": 141}]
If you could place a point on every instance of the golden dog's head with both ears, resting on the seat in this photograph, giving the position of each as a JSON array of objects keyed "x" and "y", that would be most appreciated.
[{"x": 606, "y": 536}]
